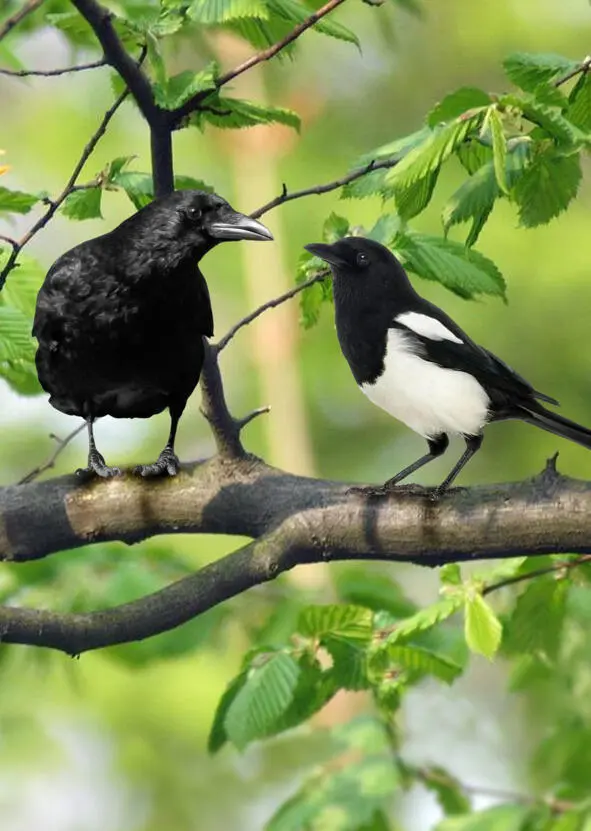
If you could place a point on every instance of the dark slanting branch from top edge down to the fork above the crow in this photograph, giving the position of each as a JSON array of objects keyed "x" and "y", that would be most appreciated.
[{"x": 101, "y": 21}]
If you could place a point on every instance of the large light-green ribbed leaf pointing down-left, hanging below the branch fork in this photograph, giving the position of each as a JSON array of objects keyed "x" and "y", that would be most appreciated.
[{"x": 263, "y": 699}]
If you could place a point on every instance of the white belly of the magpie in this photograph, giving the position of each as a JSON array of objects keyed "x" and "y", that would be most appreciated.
[{"x": 427, "y": 398}]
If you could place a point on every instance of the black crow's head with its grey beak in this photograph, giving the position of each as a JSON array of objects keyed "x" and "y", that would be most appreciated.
[{"x": 193, "y": 222}]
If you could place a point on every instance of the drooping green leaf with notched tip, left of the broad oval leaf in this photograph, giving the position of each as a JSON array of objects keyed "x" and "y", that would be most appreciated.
[{"x": 473, "y": 200}]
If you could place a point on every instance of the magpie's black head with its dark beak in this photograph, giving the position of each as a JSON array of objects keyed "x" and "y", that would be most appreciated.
[{"x": 357, "y": 258}]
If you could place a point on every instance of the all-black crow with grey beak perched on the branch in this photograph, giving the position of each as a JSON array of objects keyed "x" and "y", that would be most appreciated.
[{"x": 120, "y": 319}]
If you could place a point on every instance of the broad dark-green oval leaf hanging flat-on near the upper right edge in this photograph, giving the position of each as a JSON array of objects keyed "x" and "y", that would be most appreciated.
[{"x": 547, "y": 187}]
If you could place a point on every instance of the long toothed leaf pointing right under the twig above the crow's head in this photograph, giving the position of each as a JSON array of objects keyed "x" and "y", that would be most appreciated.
[{"x": 233, "y": 113}]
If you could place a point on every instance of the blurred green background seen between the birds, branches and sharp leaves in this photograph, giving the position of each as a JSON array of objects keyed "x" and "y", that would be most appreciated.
[{"x": 116, "y": 741}]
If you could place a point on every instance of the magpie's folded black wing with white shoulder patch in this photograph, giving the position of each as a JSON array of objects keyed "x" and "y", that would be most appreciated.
[{"x": 504, "y": 386}]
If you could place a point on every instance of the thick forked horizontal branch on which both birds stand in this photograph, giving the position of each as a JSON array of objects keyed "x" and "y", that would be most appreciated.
[{"x": 294, "y": 521}]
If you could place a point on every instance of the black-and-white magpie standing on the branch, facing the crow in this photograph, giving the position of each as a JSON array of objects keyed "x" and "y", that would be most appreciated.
[{"x": 413, "y": 361}]
